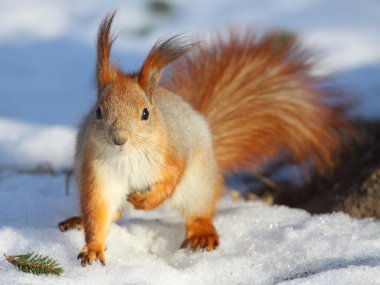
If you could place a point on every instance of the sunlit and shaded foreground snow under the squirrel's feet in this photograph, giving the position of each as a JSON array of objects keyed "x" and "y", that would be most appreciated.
[{"x": 260, "y": 244}]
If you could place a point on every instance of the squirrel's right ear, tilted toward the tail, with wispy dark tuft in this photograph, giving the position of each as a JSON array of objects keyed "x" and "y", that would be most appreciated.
[{"x": 163, "y": 52}]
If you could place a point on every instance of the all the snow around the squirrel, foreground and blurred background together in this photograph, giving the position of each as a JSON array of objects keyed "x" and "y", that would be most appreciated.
[{"x": 47, "y": 83}]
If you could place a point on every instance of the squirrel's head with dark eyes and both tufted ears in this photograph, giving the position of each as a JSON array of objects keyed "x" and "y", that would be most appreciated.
[{"x": 125, "y": 110}]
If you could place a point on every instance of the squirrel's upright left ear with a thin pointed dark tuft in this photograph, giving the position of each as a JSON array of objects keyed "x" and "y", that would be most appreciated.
[{"x": 104, "y": 44}]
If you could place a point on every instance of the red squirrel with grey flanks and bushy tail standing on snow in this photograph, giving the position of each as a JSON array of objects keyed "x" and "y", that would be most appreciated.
[{"x": 224, "y": 106}]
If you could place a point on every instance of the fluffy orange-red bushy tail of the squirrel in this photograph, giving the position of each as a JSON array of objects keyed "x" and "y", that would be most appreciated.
[{"x": 260, "y": 99}]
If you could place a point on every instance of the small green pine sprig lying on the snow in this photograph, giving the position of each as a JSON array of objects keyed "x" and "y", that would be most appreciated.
[{"x": 35, "y": 263}]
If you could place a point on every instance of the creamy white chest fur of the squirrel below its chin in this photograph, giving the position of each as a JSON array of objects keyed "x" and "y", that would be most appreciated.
[{"x": 123, "y": 173}]
